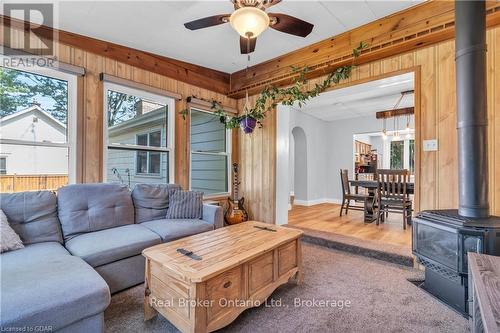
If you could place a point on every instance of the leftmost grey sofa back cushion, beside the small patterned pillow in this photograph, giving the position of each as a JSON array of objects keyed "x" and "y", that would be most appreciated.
[{"x": 32, "y": 215}]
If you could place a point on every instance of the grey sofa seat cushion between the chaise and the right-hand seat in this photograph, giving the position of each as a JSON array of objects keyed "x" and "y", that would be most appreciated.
[{"x": 110, "y": 245}]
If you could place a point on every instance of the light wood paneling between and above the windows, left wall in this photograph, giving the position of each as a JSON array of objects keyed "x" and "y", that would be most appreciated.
[{"x": 90, "y": 110}]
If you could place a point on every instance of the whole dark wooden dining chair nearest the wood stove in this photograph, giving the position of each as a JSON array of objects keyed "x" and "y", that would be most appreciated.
[{"x": 392, "y": 195}]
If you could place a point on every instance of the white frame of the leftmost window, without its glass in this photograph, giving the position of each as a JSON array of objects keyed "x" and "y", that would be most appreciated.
[{"x": 71, "y": 126}]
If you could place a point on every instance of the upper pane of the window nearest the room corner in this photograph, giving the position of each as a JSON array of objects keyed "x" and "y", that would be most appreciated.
[{"x": 207, "y": 132}]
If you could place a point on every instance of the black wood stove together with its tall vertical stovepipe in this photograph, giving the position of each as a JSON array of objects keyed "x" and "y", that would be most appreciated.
[{"x": 442, "y": 238}]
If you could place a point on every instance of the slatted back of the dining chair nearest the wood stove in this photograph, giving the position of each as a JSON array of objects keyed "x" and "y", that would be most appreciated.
[{"x": 392, "y": 183}]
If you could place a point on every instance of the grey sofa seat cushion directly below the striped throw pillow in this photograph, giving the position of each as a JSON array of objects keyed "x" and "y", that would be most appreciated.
[{"x": 170, "y": 230}]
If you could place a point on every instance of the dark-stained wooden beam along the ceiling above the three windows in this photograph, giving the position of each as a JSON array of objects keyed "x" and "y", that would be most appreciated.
[{"x": 193, "y": 74}]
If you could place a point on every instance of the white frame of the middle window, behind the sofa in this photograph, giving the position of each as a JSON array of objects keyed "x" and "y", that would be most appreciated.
[{"x": 170, "y": 137}]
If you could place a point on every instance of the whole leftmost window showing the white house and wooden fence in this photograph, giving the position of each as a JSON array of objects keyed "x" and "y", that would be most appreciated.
[{"x": 37, "y": 128}]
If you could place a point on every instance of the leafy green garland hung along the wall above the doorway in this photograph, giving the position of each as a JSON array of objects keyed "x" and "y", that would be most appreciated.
[{"x": 295, "y": 94}]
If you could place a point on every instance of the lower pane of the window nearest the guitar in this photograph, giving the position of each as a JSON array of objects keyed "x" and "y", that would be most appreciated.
[{"x": 208, "y": 173}]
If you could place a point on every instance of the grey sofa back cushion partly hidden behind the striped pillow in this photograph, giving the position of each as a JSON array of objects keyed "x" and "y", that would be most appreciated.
[{"x": 151, "y": 201}]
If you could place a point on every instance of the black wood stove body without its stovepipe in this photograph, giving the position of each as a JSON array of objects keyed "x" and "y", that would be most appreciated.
[{"x": 441, "y": 241}]
